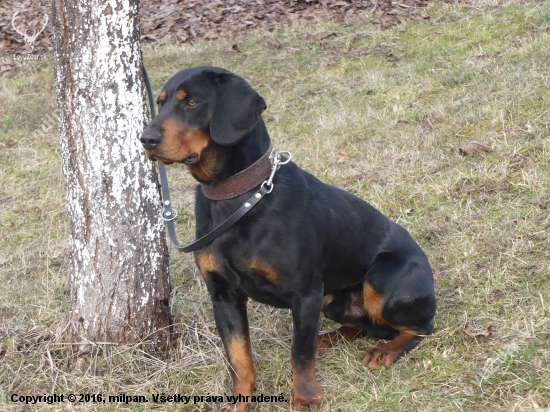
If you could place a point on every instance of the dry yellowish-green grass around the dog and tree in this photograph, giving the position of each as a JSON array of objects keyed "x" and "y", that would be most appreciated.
[{"x": 379, "y": 113}]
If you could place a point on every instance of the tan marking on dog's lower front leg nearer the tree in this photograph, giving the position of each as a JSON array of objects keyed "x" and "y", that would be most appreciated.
[{"x": 240, "y": 358}]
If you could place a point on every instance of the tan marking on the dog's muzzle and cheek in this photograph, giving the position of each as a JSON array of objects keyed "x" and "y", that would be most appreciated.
[{"x": 180, "y": 141}]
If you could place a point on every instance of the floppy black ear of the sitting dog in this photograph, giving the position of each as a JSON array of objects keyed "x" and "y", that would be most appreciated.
[{"x": 237, "y": 110}]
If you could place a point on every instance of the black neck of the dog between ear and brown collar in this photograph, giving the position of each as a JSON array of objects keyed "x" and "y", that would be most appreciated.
[{"x": 234, "y": 159}]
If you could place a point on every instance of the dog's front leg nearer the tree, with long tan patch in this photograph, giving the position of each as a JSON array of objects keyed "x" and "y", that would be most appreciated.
[{"x": 232, "y": 323}]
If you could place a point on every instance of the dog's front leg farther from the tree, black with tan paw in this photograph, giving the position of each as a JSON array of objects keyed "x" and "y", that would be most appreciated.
[{"x": 305, "y": 314}]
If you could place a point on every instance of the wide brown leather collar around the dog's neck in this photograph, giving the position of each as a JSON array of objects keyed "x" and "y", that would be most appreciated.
[{"x": 242, "y": 182}]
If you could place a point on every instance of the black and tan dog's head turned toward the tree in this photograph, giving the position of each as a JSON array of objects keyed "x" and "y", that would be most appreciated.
[{"x": 199, "y": 108}]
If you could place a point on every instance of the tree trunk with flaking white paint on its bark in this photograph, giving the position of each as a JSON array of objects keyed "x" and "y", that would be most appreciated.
[{"x": 119, "y": 285}]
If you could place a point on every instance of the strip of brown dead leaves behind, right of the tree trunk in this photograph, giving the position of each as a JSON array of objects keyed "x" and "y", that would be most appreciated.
[{"x": 210, "y": 20}]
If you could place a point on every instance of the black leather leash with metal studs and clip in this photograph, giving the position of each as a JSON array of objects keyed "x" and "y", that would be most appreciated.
[{"x": 169, "y": 214}]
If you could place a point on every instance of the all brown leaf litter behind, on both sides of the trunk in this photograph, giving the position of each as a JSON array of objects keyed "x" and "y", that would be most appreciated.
[{"x": 188, "y": 20}]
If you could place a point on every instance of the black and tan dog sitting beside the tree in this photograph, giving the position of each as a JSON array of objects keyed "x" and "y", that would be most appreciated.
[{"x": 306, "y": 246}]
